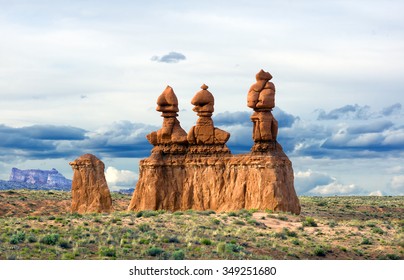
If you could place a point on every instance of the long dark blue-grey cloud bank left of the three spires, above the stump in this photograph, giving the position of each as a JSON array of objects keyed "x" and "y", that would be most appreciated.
[{"x": 120, "y": 139}]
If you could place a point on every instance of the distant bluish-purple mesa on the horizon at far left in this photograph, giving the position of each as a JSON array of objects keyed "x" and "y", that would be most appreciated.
[{"x": 36, "y": 179}]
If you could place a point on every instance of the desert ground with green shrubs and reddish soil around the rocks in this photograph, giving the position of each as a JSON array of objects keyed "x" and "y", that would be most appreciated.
[{"x": 38, "y": 225}]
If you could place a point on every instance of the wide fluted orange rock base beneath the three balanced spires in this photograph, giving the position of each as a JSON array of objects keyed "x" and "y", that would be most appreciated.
[{"x": 262, "y": 180}]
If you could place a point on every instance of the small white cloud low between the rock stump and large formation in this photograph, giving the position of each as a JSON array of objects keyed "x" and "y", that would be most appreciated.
[{"x": 120, "y": 179}]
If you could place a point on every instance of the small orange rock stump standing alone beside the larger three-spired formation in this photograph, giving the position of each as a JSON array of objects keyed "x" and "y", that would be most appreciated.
[{"x": 90, "y": 191}]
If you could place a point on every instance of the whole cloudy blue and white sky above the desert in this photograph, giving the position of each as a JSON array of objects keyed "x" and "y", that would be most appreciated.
[{"x": 83, "y": 77}]
